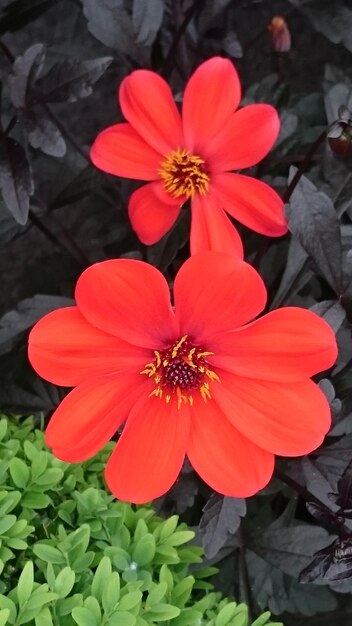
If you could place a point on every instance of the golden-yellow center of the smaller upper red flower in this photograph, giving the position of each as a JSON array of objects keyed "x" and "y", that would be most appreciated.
[{"x": 184, "y": 174}]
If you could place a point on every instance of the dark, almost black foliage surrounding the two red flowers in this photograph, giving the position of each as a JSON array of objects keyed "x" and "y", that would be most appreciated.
[{"x": 61, "y": 61}]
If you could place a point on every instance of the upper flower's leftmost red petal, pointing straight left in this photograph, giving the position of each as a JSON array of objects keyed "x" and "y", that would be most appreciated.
[{"x": 119, "y": 150}]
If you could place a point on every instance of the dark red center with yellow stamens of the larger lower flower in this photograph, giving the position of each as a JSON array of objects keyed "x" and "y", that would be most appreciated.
[{"x": 179, "y": 371}]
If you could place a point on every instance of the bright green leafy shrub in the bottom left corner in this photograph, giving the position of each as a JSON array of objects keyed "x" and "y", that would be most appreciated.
[{"x": 72, "y": 555}]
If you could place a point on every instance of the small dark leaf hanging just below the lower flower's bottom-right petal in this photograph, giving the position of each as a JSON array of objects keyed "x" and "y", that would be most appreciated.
[{"x": 221, "y": 519}]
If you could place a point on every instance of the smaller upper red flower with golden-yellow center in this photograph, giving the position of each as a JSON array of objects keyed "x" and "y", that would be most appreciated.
[{"x": 192, "y": 158}]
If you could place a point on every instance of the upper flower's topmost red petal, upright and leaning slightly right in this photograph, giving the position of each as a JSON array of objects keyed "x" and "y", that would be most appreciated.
[{"x": 212, "y": 94}]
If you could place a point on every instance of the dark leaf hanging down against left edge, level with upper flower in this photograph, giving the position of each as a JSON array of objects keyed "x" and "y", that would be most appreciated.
[{"x": 16, "y": 181}]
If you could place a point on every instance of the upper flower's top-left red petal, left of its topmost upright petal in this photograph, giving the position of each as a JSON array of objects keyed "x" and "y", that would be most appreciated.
[{"x": 147, "y": 103}]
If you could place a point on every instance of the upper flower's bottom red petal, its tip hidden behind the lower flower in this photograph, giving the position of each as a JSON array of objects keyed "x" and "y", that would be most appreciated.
[{"x": 211, "y": 229}]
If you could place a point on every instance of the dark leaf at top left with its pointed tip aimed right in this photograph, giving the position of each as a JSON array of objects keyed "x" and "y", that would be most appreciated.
[{"x": 70, "y": 80}]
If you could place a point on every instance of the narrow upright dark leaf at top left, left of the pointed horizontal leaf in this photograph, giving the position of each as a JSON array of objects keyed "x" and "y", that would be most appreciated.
[{"x": 25, "y": 70}]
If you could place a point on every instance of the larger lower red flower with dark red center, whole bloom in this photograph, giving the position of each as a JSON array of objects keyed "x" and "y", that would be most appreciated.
[{"x": 197, "y": 379}]
